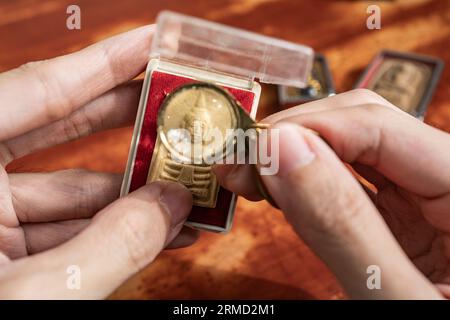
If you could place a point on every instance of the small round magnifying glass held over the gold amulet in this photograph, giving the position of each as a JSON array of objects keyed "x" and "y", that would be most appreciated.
[{"x": 198, "y": 121}]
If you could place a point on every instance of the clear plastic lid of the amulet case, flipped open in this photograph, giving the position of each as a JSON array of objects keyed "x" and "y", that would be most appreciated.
[{"x": 219, "y": 48}]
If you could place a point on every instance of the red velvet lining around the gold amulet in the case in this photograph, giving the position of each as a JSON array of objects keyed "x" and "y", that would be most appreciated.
[{"x": 160, "y": 86}]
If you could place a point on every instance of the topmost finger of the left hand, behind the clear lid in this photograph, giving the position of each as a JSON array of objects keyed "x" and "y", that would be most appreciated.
[{"x": 56, "y": 87}]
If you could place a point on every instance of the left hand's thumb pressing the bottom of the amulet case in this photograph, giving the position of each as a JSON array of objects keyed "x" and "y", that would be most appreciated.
[{"x": 121, "y": 240}]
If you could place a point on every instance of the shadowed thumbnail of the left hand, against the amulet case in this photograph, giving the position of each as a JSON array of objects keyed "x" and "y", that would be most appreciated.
[{"x": 177, "y": 200}]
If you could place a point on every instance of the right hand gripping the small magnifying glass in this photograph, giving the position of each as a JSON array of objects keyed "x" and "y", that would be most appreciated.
[{"x": 405, "y": 159}]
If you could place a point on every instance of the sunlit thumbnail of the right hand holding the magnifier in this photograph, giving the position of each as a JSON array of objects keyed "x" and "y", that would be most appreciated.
[{"x": 294, "y": 150}]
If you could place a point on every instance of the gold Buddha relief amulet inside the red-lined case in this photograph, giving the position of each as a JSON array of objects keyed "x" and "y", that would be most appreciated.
[{"x": 185, "y": 122}]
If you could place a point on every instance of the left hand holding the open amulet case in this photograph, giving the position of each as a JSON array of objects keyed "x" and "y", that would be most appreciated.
[{"x": 50, "y": 221}]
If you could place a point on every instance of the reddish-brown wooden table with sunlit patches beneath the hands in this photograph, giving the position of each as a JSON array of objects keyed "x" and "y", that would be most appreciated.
[{"x": 261, "y": 257}]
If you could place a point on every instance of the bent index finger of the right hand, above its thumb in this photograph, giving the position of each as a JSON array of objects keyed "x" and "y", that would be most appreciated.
[{"x": 394, "y": 144}]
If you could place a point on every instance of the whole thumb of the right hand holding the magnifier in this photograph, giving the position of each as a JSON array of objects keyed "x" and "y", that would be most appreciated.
[{"x": 330, "y": 211}]
